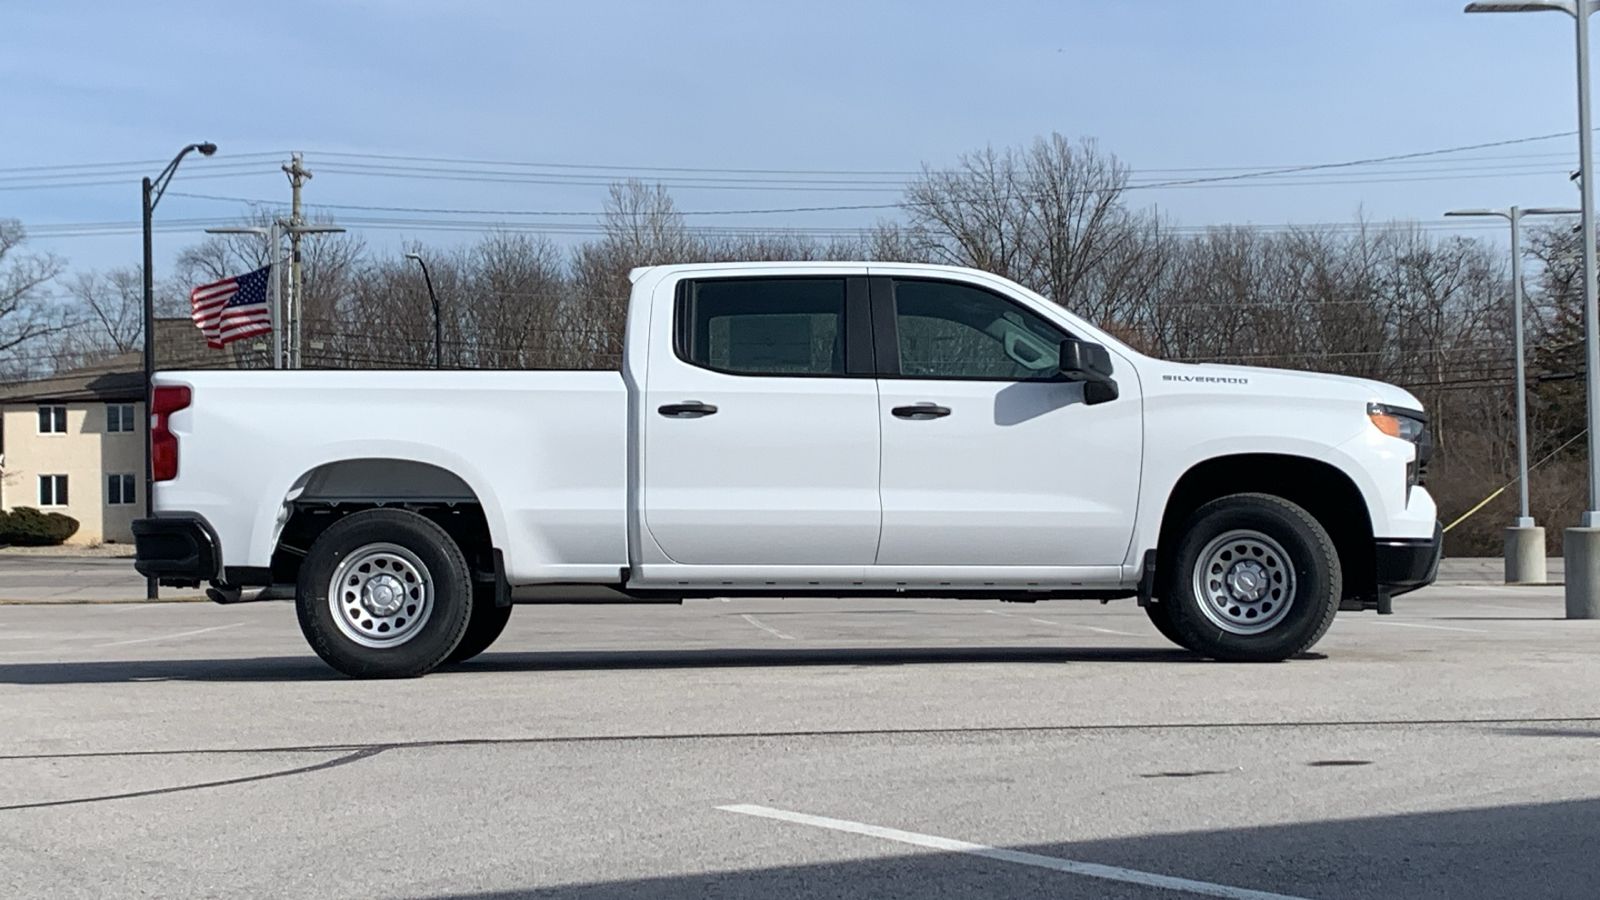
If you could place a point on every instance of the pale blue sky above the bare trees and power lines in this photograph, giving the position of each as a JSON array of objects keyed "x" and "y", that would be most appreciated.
[{"x": 820, "y": 86}]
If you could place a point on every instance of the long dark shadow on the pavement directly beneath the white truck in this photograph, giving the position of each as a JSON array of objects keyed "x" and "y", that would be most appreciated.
[{"x": 311, "y": 669}]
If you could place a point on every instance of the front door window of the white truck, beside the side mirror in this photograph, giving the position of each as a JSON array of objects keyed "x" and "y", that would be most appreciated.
[{"x": 951, "y": 331}]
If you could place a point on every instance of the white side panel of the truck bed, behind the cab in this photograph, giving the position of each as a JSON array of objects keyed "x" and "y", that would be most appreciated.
[{"x": 545, "y": 454}]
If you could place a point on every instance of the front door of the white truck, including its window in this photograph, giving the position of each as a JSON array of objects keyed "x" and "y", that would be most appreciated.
[{"x": 990, "y": 459}]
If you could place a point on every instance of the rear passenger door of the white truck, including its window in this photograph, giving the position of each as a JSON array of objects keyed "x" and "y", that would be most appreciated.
[{"x": 761, "y": 425}]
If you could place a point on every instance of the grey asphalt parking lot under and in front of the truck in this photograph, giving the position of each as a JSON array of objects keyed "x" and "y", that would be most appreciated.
[{"x": 806, "y": 749}]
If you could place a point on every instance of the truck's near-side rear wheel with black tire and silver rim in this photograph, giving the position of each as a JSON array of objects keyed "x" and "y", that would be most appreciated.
[{"x": 393, "y": 556}]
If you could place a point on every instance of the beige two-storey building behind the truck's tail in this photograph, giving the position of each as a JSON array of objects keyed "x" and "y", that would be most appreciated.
[{"x": 74, "y": 444}]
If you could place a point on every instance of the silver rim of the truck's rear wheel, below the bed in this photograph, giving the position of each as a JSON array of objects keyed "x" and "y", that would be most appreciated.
[{"x": 382, "y": 597}]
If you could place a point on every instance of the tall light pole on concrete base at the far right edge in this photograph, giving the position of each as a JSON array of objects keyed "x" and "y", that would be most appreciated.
[{"x": 1580, "y": 547}]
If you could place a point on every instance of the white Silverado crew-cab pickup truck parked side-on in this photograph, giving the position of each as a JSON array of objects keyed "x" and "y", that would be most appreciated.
[{"x": 791, "y": 430}]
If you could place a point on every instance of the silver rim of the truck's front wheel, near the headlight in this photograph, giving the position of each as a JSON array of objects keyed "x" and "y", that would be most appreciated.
[{"x": 1244, "y": 582}]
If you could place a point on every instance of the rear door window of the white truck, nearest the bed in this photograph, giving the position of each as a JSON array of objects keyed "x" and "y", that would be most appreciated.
[{"x": 764, "y": 326}]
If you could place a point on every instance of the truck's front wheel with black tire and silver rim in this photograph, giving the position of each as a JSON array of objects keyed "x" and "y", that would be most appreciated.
[{"x": 1255, "y": 581}]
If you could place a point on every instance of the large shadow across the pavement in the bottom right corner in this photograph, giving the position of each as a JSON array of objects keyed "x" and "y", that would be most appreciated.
[{"x": 1519, "y": 851}]
